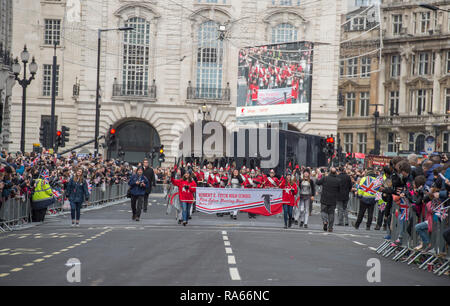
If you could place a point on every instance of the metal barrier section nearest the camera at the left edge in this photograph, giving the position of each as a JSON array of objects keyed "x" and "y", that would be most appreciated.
[{"x": 14, "y": 213}]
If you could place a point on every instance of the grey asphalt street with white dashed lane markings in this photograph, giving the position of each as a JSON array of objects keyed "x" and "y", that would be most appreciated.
[{"x": 210, "y": 251}]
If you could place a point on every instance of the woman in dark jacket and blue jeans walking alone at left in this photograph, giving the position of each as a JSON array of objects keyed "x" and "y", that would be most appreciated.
[{"x": 77, "y": 192}]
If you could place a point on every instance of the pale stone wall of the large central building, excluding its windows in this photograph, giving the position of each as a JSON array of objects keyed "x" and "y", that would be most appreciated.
[{"x": 173, "y": 38}]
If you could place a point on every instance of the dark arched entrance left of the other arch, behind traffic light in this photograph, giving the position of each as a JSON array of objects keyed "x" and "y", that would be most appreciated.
[{"x": 136, "y": 139}]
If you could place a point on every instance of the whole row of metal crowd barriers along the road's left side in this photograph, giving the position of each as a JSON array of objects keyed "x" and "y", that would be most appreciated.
[{"x": 16, "y": 212}]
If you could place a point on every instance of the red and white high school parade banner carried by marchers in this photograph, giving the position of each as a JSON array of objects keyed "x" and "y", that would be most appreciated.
[{"x": 265, "y": 202}]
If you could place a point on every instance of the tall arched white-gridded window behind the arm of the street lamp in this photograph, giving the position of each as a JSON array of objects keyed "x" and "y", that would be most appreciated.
[{"x": 136, "y": 46}]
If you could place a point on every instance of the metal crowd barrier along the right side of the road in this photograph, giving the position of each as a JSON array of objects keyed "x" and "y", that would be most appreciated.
[{"x": 435, "y": 260}]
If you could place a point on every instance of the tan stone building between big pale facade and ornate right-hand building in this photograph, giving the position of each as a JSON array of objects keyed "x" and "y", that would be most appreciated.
[{"x": 358, "y": 80}]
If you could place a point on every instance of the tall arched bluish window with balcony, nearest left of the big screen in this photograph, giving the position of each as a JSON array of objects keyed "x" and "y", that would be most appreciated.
[{"x": 209, "y": 61}]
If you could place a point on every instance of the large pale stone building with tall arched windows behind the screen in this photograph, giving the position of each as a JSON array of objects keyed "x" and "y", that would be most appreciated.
[{"x": 153, "y": 80}]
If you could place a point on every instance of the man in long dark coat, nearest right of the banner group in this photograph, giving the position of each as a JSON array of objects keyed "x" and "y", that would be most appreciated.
[{"x": 331, "y": 188}]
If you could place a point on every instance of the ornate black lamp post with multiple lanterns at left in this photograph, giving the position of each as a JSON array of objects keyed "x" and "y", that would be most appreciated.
[{"x": 24, "y": 82}]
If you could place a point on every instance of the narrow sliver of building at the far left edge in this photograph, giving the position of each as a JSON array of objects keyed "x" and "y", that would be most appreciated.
[{"x": 6, "y": 75}]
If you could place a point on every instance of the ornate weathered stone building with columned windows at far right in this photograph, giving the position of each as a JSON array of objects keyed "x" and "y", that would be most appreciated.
[{"x": 416, "y": 78}]
